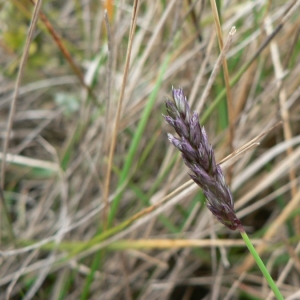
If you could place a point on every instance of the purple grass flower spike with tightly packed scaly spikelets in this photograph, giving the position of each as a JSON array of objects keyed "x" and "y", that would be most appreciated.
[{"x": 199, "y": 157}]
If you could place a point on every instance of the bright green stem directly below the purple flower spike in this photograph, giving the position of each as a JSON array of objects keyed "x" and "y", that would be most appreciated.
[{"x": 261, "y": 265}]
